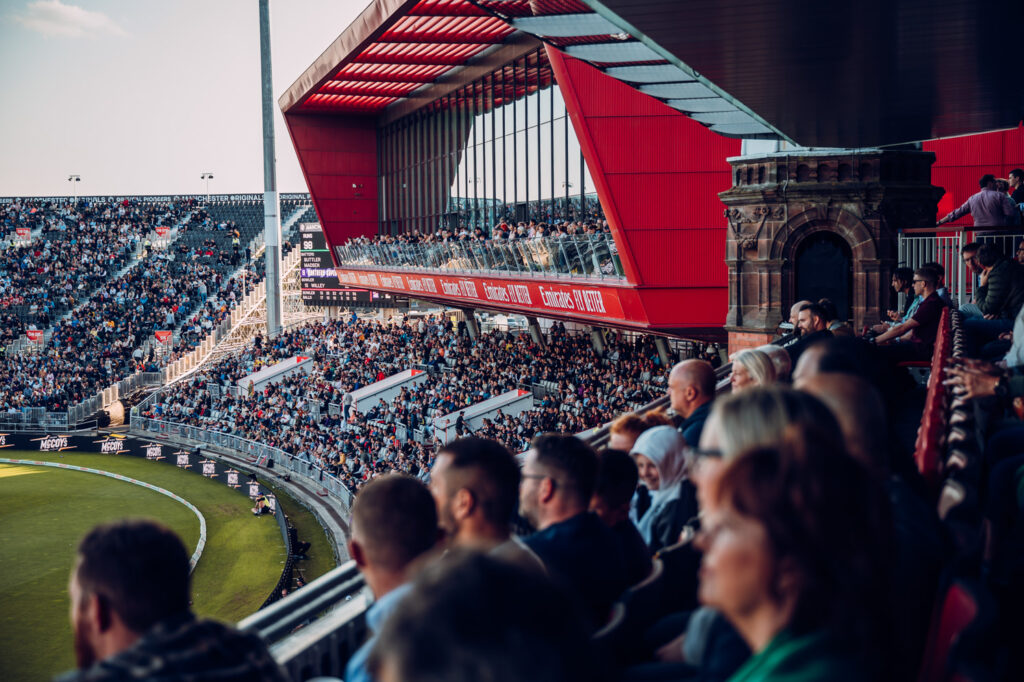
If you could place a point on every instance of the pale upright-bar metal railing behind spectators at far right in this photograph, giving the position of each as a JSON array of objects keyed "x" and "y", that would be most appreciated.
[{"x": 944, "y": 246}]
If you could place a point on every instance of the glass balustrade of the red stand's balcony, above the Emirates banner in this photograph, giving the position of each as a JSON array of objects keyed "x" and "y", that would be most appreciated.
[{"x": 579, "y": 255}]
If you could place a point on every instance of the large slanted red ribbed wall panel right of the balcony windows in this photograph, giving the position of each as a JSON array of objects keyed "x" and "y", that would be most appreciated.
[{"x": 658, "y": 175}]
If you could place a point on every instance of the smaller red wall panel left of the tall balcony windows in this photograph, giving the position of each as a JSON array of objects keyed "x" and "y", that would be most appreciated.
[{"x": 338, "y": 157}]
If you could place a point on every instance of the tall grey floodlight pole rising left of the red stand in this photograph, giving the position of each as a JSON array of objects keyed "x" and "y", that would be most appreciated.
[{"x": 272, "y": 207}]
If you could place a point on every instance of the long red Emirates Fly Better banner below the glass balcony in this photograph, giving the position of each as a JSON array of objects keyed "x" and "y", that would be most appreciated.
[{"x": 588, "y": 301}]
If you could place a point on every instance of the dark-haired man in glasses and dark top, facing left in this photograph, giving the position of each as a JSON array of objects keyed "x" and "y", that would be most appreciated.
[{"x": 559, "y": 478}]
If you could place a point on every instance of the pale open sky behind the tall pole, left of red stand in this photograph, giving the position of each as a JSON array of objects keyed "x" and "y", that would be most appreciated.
[{"x": 143, "y": 97}]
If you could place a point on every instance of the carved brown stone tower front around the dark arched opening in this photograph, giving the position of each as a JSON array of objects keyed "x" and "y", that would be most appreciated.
[{"x": 780, "y": 200}]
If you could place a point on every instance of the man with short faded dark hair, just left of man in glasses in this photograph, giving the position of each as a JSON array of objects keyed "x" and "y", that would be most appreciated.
[{"x": 476, "y": 484}]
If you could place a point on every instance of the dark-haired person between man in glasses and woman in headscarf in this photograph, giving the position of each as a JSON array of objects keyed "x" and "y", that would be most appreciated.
[{"x": 617, "y": 481}]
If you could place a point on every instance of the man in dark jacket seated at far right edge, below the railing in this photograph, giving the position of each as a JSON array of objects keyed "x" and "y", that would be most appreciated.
[{"x": 1001, "y": 295}]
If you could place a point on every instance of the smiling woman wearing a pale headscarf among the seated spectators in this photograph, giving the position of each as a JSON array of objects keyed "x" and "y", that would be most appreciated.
[{"x": 659, "y": 454}]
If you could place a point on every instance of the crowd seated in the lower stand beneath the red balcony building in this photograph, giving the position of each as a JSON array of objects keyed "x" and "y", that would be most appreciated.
[{"x": 311, "y": 416}]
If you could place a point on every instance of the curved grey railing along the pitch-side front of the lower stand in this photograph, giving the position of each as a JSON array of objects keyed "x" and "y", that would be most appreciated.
[{"x": 266, "y": 455}]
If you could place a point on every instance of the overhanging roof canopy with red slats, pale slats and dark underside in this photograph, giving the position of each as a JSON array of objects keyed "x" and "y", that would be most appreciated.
[{"x": 855, "y": 75}]
